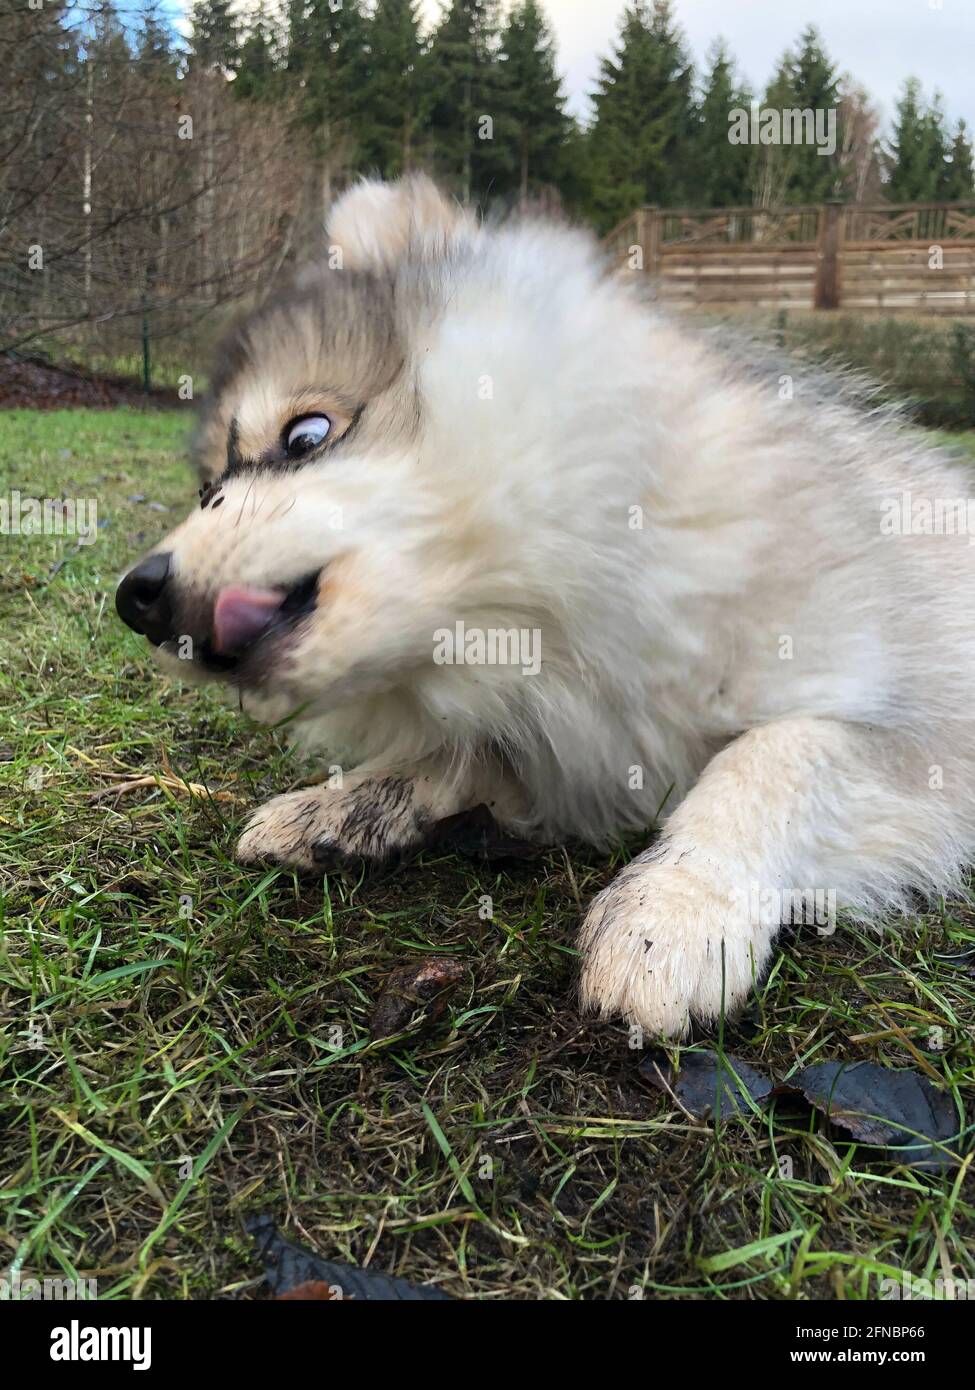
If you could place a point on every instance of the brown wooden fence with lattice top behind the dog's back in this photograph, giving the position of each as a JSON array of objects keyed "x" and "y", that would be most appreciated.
[{"x": 894, "y": 258}]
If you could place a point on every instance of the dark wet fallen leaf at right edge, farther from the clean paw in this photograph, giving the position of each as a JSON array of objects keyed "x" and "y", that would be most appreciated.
[{"x": 881, "y": 1106}]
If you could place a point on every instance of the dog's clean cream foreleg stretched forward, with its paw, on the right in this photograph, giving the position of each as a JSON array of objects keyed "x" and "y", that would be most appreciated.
[{"x": 789, "y": 810}]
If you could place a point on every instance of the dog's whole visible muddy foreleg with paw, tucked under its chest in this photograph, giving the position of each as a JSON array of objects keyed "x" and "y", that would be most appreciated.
[{"x": 372, "y": 817}]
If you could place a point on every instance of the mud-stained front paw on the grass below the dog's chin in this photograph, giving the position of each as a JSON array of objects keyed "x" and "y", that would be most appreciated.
[{"x": 321, "y": 829}]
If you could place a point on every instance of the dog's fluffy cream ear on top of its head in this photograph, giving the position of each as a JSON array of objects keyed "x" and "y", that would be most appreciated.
[{"x": 376, "y": 224}]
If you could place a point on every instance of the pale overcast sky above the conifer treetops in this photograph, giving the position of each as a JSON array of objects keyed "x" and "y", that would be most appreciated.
[{"x": 880, "y": 41}]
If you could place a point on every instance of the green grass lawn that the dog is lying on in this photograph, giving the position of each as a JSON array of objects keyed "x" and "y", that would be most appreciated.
[{"x": 186, "y": 1043}]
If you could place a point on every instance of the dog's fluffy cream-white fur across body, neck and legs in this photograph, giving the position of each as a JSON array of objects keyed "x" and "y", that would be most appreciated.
[{"x": 725, "y": 628}]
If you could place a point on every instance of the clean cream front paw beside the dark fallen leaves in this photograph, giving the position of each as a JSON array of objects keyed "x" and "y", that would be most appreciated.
[{"x": 653, "y": 947}]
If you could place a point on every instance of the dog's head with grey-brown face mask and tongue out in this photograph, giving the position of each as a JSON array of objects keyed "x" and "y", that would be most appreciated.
[{"x": 380, "y": 457}]
